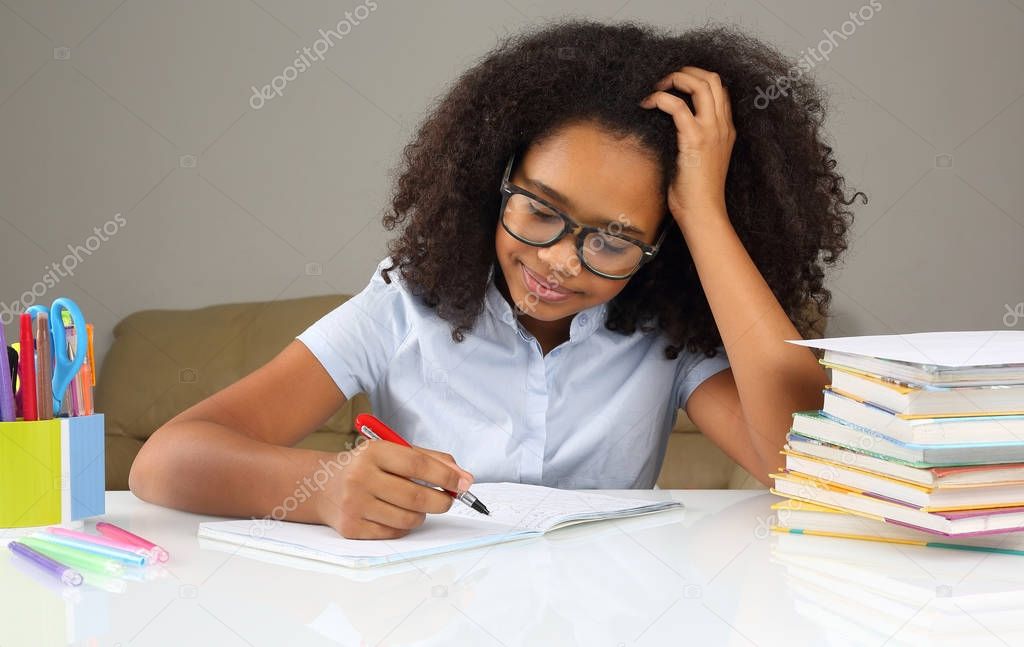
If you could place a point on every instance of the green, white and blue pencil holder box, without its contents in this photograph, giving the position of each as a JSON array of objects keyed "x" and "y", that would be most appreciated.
[{"x": 52, "y": 471}]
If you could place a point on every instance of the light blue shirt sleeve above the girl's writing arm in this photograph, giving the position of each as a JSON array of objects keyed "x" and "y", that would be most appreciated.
[{"x": 357, "y": 341}]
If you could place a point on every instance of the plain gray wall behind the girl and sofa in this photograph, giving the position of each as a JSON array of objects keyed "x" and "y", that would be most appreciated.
[{"x": 139, "y": 116}]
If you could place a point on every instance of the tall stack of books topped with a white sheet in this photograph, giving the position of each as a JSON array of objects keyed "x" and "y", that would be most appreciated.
[{"x": 920, "y": 441}]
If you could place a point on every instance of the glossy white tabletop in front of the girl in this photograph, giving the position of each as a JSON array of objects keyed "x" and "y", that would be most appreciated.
[{"x": 711, "y": 575}]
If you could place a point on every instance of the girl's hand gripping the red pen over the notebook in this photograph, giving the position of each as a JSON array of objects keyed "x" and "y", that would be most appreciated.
[{"x": 373, "y": 498}]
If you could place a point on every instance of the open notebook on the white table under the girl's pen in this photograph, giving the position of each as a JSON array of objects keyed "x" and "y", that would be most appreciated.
[{"x": 518, "y": 511}]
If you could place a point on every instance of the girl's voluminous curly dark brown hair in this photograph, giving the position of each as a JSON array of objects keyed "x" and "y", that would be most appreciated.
[{"x": 784, "y": 197}]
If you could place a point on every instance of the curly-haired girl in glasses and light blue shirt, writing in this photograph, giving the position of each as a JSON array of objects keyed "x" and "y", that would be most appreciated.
[{"x": 600, "y": 225}]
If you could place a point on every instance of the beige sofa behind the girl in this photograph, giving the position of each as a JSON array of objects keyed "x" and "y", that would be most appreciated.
[{"x": 162, "y": 362}]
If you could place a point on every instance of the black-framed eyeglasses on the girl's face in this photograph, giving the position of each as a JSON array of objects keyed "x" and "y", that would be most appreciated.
[{"x": 605, "y": 251}]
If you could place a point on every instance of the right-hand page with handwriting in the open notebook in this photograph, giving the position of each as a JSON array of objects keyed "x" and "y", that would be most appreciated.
[{"x": 534, "y": 507}]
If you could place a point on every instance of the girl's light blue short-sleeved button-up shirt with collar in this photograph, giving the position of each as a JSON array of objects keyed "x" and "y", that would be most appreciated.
[{"x": 596, "y": 412}]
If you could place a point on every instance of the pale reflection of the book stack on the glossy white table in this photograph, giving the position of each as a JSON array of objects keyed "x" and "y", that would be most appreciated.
[{"x": 871, "y": 593}]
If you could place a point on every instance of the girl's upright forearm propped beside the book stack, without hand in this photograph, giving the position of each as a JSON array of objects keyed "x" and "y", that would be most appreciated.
[{"x": 774, "y": 378}]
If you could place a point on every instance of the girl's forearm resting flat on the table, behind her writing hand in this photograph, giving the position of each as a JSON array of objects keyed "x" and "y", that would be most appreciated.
[{"x": 207, "y": 468}]
